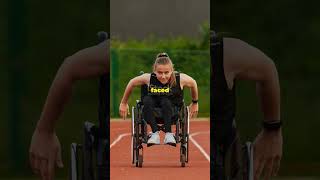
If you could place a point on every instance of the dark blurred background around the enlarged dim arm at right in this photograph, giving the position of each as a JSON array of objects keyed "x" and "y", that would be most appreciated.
[{"x": 288, "y": 32}]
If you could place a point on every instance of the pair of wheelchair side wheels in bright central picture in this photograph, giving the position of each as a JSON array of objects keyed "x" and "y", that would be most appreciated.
[{"x": 139, "y": 134}]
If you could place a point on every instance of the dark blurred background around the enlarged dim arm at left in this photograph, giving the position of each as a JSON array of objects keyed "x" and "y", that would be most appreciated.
[{"x": 35, "y": 37}]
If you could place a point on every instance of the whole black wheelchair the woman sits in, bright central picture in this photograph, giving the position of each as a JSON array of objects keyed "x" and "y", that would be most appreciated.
[{"x": 139, "y": 135}]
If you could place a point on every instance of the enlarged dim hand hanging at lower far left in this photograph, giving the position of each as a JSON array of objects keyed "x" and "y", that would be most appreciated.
[{"x": 45, "y": 153}]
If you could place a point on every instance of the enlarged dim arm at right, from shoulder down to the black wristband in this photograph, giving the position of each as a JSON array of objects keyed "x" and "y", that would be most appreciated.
[{"x": 243, "y": 61}]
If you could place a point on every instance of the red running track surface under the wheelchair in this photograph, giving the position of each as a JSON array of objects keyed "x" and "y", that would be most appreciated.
[{"x": 162, "y": 161}]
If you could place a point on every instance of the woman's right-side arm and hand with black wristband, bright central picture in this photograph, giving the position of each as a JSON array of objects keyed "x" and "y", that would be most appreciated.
[{"x": 187, "y": 81}]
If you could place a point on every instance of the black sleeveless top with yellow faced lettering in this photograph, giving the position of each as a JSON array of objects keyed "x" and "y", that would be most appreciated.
[{"x": 174, "y": 93}]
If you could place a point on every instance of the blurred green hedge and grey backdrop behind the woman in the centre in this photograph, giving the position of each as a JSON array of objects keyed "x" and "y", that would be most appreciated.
[{"x": 139, "y": 31}]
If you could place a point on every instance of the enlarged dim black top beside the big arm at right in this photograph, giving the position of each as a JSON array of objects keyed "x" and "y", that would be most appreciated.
[{"x": 223, "y": 104}]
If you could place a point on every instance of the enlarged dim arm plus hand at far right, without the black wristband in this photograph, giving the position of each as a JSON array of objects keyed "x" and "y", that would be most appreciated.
[{"x": 243, "y": 61}]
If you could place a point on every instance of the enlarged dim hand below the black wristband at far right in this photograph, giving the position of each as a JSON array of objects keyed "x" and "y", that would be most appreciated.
[{"x": 267, "y": 153}]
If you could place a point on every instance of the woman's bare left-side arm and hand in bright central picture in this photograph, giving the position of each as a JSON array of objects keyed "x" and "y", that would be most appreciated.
[{"x": 139, "y": 80}]
